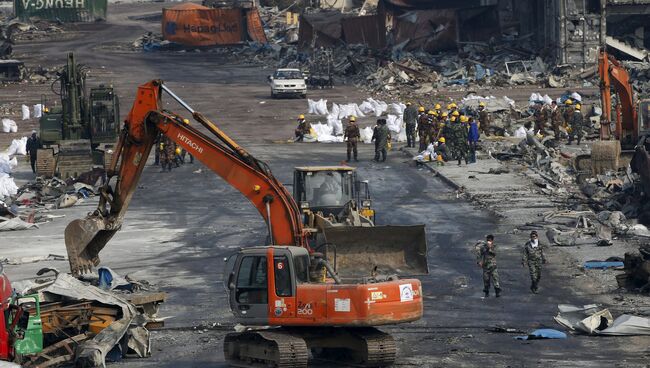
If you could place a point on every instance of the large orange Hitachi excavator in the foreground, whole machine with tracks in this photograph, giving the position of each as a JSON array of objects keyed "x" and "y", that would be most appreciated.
[{"x": 285, "y": 284}]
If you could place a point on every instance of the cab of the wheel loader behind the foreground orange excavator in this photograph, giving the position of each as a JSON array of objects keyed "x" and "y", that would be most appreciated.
[{"x": 328, "y": 189}]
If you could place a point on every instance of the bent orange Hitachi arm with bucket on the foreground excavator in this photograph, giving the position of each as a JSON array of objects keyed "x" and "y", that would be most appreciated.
[{"x": 85, "y": 238}]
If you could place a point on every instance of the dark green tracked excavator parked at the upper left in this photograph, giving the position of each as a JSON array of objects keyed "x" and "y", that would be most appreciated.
[{"x": 77, "y": 135}]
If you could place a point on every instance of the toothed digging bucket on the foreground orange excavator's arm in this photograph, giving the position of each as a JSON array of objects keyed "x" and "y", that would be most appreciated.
[{"x": 83, "y": 241}]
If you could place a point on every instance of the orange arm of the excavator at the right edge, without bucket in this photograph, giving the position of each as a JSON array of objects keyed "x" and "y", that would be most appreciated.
[{"x": 613, "y": 74}]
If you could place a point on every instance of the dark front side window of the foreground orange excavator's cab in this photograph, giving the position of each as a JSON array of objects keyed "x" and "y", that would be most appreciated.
[{"x": 251, "y": 287}]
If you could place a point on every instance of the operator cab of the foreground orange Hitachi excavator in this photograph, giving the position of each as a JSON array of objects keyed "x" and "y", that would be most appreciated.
[{"x": 262, "y": 281}]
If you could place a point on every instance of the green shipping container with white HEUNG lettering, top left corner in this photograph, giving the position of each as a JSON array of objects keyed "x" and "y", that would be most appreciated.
[{"x": 63, "y": 10}]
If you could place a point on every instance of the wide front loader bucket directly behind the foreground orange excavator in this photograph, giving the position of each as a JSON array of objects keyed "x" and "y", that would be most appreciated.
[{"x": 389, "y": 250}]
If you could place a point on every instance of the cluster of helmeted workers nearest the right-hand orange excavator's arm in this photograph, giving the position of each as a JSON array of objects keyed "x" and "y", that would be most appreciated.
[{"x": 552, "y": 115}]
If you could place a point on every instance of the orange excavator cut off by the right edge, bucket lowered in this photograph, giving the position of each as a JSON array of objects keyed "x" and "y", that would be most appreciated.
[{"x": 624, "y": 126}]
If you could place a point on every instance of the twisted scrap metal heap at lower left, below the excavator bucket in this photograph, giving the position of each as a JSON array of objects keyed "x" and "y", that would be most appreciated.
[{"x": 85, "y": 323}]
